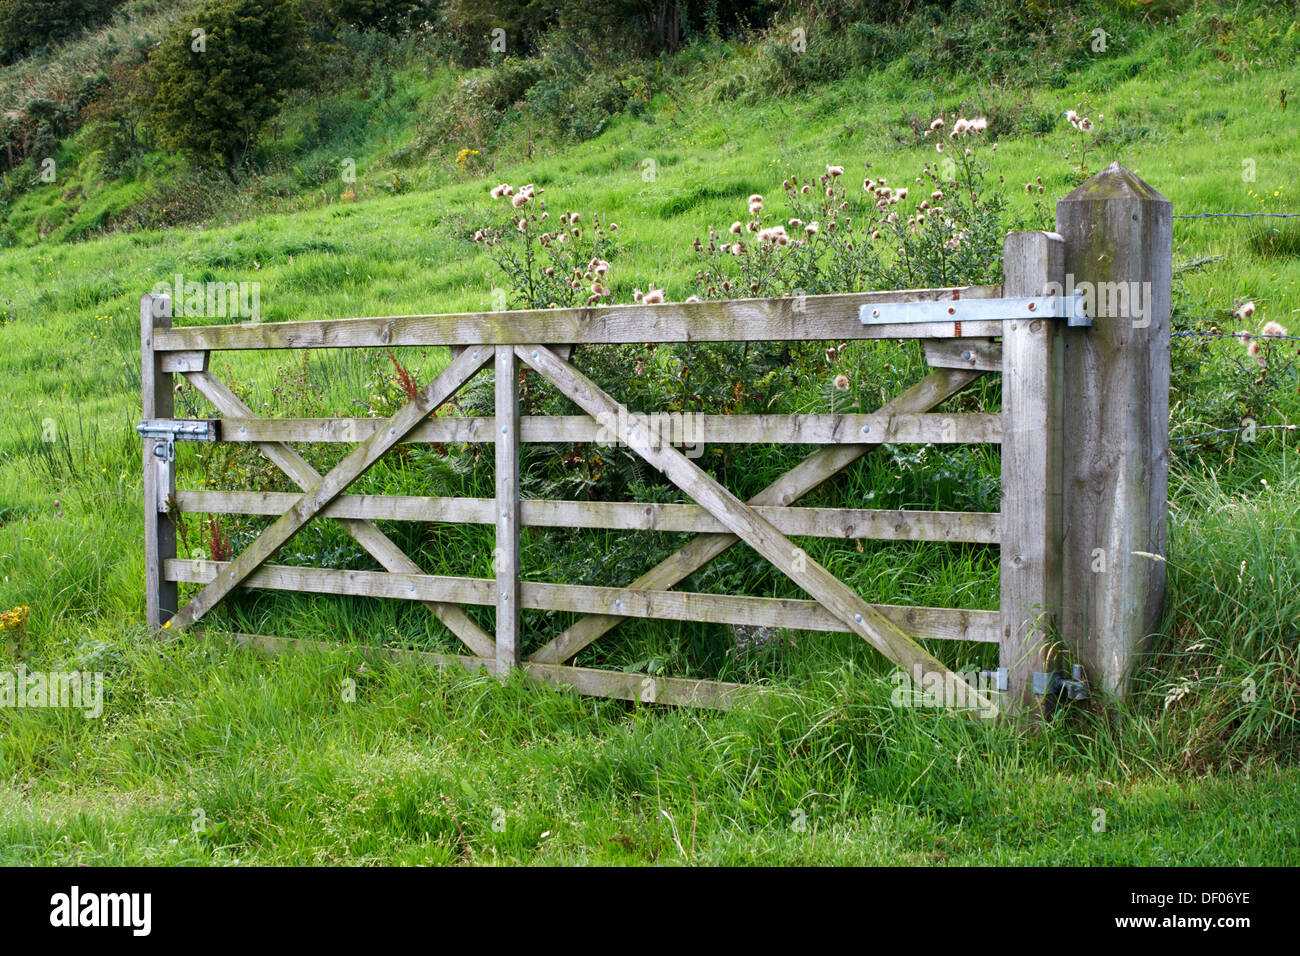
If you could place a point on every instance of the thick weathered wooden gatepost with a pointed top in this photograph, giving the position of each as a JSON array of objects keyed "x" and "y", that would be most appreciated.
[{"x": 1119, "y": 237}]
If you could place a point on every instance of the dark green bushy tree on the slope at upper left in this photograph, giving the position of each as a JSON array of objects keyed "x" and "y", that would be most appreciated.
[{"x": 223, "y": 73}]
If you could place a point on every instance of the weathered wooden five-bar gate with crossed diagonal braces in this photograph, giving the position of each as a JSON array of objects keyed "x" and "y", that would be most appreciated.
[{"x": 1015, "y": 330}]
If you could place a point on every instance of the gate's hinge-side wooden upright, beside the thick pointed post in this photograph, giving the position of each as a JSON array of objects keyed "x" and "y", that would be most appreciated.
[{"x": 1032, "y": 469}]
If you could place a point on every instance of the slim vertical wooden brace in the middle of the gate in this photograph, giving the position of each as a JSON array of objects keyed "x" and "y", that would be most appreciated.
[{"x": 506, "y": 559}]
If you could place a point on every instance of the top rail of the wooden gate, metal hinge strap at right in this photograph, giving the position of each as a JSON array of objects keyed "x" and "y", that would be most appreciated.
[{"x": 809, "y": 318}]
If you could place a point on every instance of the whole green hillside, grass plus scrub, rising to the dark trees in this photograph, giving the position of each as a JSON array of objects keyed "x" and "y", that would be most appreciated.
[{"x": 413, "y": 771}]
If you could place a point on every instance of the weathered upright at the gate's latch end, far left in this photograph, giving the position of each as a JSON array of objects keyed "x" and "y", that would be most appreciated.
[{"x": 161, "y": 595}]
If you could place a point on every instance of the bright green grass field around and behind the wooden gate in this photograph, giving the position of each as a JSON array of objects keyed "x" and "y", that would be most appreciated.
[{"x": 210, "y": 755}]
